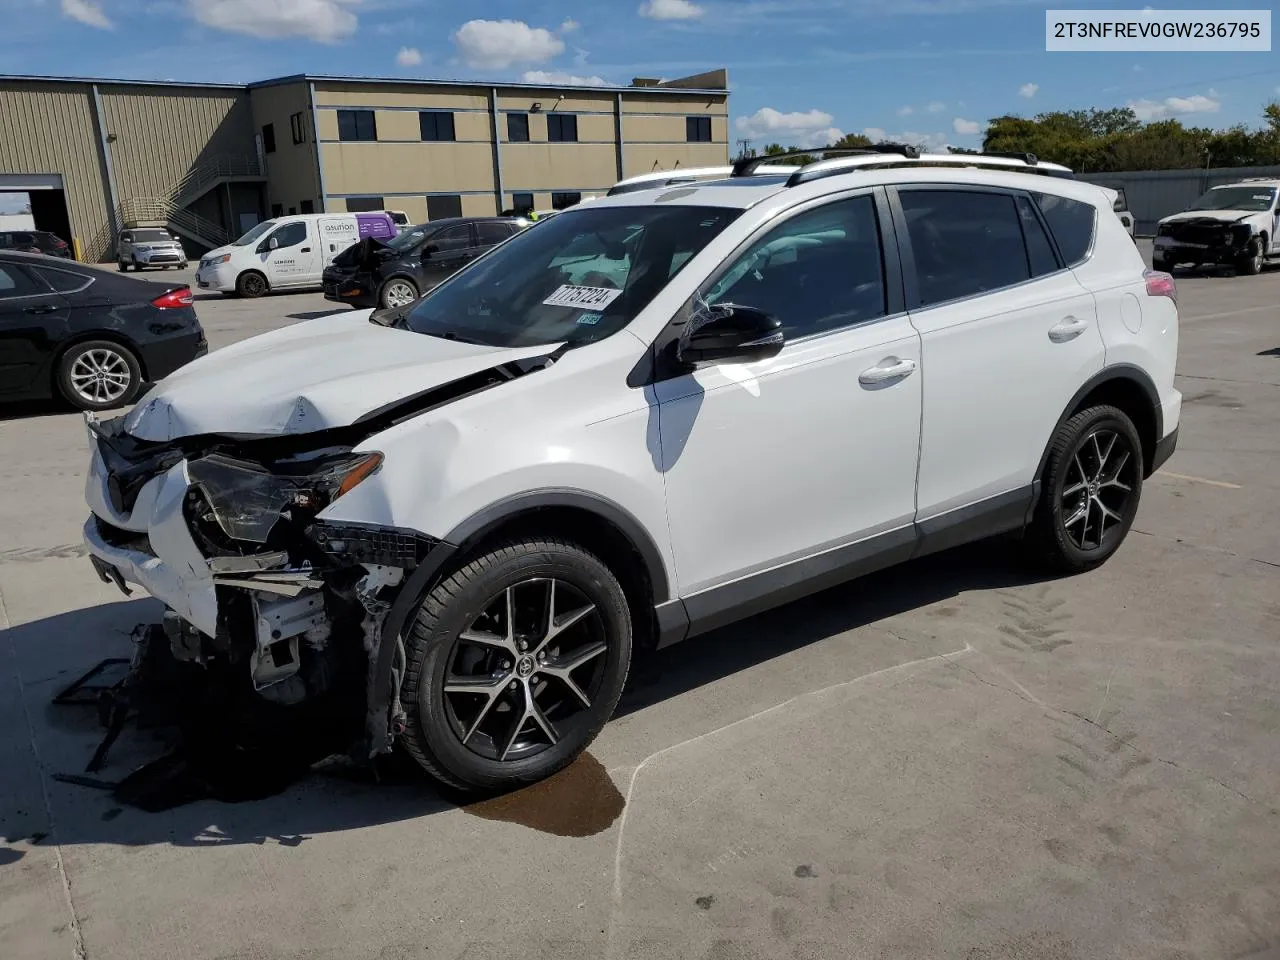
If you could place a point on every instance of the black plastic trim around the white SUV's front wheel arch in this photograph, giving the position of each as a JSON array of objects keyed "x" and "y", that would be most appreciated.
[{"x": 479, "y": 524}]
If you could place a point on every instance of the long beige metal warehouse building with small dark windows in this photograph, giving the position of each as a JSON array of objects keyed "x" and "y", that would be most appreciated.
[{"x": 211, "y": 161}]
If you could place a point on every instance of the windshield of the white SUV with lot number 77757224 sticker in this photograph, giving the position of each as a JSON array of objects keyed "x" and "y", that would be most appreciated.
[{"x": 580, "y": 277}]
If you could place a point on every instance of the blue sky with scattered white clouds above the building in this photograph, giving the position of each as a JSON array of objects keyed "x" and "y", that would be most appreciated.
[{"x": 802, "y": 72}]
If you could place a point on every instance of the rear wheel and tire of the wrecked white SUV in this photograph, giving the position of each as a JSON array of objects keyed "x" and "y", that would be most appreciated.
[{"x": 1090, "y": 491}]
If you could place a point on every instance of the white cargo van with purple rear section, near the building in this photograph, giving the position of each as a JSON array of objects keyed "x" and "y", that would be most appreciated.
[{"x": 289, "y": 253}]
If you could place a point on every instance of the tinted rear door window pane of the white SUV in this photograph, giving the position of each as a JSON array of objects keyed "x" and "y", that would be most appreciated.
[{"x": 963, "y": 243}]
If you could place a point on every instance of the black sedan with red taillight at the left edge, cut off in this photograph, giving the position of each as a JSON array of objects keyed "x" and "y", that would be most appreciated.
[{"x": 89, "y": 336}]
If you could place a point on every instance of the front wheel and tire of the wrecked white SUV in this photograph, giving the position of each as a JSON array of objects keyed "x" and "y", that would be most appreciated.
[{"x": 516, "y": 661}]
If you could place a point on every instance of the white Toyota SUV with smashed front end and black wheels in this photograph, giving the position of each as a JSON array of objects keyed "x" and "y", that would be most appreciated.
[{"x": 644, "y": 419}]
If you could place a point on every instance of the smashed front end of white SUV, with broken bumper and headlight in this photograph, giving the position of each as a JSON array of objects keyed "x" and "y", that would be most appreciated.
[{"x": 226, "y": 532}]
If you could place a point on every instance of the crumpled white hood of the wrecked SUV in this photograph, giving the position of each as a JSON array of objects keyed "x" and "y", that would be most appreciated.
[{"x": 313, "y": 376}]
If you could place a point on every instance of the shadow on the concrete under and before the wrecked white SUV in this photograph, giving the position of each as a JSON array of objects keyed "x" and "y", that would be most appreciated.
[{"x": 340, "y": 796}]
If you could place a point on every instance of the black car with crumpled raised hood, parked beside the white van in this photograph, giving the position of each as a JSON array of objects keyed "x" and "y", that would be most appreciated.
[{"x": 397, "y": 272}]
